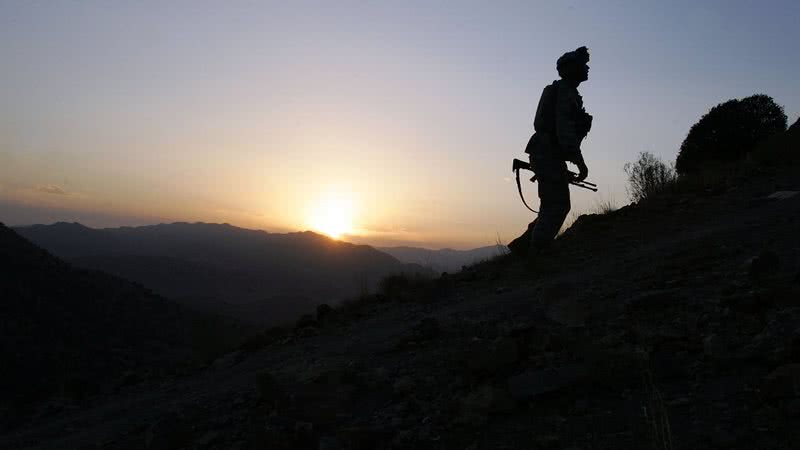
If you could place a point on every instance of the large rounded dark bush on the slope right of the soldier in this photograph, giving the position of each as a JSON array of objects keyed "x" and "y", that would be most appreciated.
[{"x": 729, "y": 131}]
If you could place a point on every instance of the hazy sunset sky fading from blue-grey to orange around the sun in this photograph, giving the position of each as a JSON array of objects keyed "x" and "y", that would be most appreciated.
[{"x": 386, "y": 123}]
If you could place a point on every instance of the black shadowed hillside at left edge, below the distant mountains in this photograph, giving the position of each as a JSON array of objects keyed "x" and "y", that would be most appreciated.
[{"x": 73, "y": 333}]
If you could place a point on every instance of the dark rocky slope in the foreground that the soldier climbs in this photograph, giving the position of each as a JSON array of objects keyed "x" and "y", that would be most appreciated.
[{"x": 668, "y": 325}]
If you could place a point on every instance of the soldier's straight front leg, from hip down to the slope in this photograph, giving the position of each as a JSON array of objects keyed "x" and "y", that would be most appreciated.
[{"x": 554, "y": 206}]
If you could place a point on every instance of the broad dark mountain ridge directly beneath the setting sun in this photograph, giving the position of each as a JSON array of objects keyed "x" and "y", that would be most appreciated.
[{"x": 223, "y": 268}]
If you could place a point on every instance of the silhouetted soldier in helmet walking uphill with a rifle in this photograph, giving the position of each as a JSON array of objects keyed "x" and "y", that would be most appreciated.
[{"x": 560, "y": 125}]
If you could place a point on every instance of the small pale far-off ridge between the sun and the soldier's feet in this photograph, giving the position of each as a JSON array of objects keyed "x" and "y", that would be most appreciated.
[{"x": 443, "y": 260}]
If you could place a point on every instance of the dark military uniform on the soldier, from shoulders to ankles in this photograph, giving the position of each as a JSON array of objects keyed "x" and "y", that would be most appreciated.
[{"x": 561, "y": 123}]
